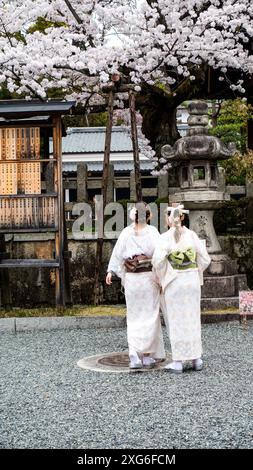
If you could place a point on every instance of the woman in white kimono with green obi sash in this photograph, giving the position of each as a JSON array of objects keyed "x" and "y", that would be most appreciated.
[{"x": 179, "y": 261}]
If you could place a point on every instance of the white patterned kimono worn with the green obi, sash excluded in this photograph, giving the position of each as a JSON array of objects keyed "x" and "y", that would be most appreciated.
[{"x": 182, "y": 293}]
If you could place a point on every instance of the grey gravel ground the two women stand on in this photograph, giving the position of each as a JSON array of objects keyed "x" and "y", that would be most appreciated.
[{"x": 47, "y": 401}]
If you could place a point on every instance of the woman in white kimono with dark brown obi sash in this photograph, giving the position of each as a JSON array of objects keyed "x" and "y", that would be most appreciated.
[{"x": 142, "y": 291}]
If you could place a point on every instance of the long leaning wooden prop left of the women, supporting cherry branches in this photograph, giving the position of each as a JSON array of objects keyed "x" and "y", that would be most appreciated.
[{"x": 99, "y": 252}]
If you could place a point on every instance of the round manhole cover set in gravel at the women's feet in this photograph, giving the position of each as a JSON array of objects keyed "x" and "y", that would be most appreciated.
[{"x": 115, "y": 362}]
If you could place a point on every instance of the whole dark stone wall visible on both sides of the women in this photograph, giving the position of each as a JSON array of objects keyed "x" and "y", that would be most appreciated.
[{"x": 33, "y": 287}]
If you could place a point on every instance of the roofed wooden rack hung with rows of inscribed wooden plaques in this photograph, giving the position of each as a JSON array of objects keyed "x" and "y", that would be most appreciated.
[{"x": 31, "y": 189}]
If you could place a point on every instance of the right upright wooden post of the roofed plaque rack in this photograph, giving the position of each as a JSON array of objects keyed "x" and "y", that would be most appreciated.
[{"x": 59, "y": 236}]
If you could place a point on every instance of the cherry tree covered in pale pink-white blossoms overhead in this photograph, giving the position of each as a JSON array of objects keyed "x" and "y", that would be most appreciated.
[{"x": 169, "y": 50}]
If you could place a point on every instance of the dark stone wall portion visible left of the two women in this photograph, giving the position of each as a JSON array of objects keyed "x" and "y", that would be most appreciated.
[{"x": 36, "y": 287}]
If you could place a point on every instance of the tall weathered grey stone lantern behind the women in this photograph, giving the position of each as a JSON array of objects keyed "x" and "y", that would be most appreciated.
[{"x": 197, "y": 156}]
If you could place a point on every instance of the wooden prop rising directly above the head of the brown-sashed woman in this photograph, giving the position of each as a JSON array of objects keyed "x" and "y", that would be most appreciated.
[{"x": 135, "y": 146}]
